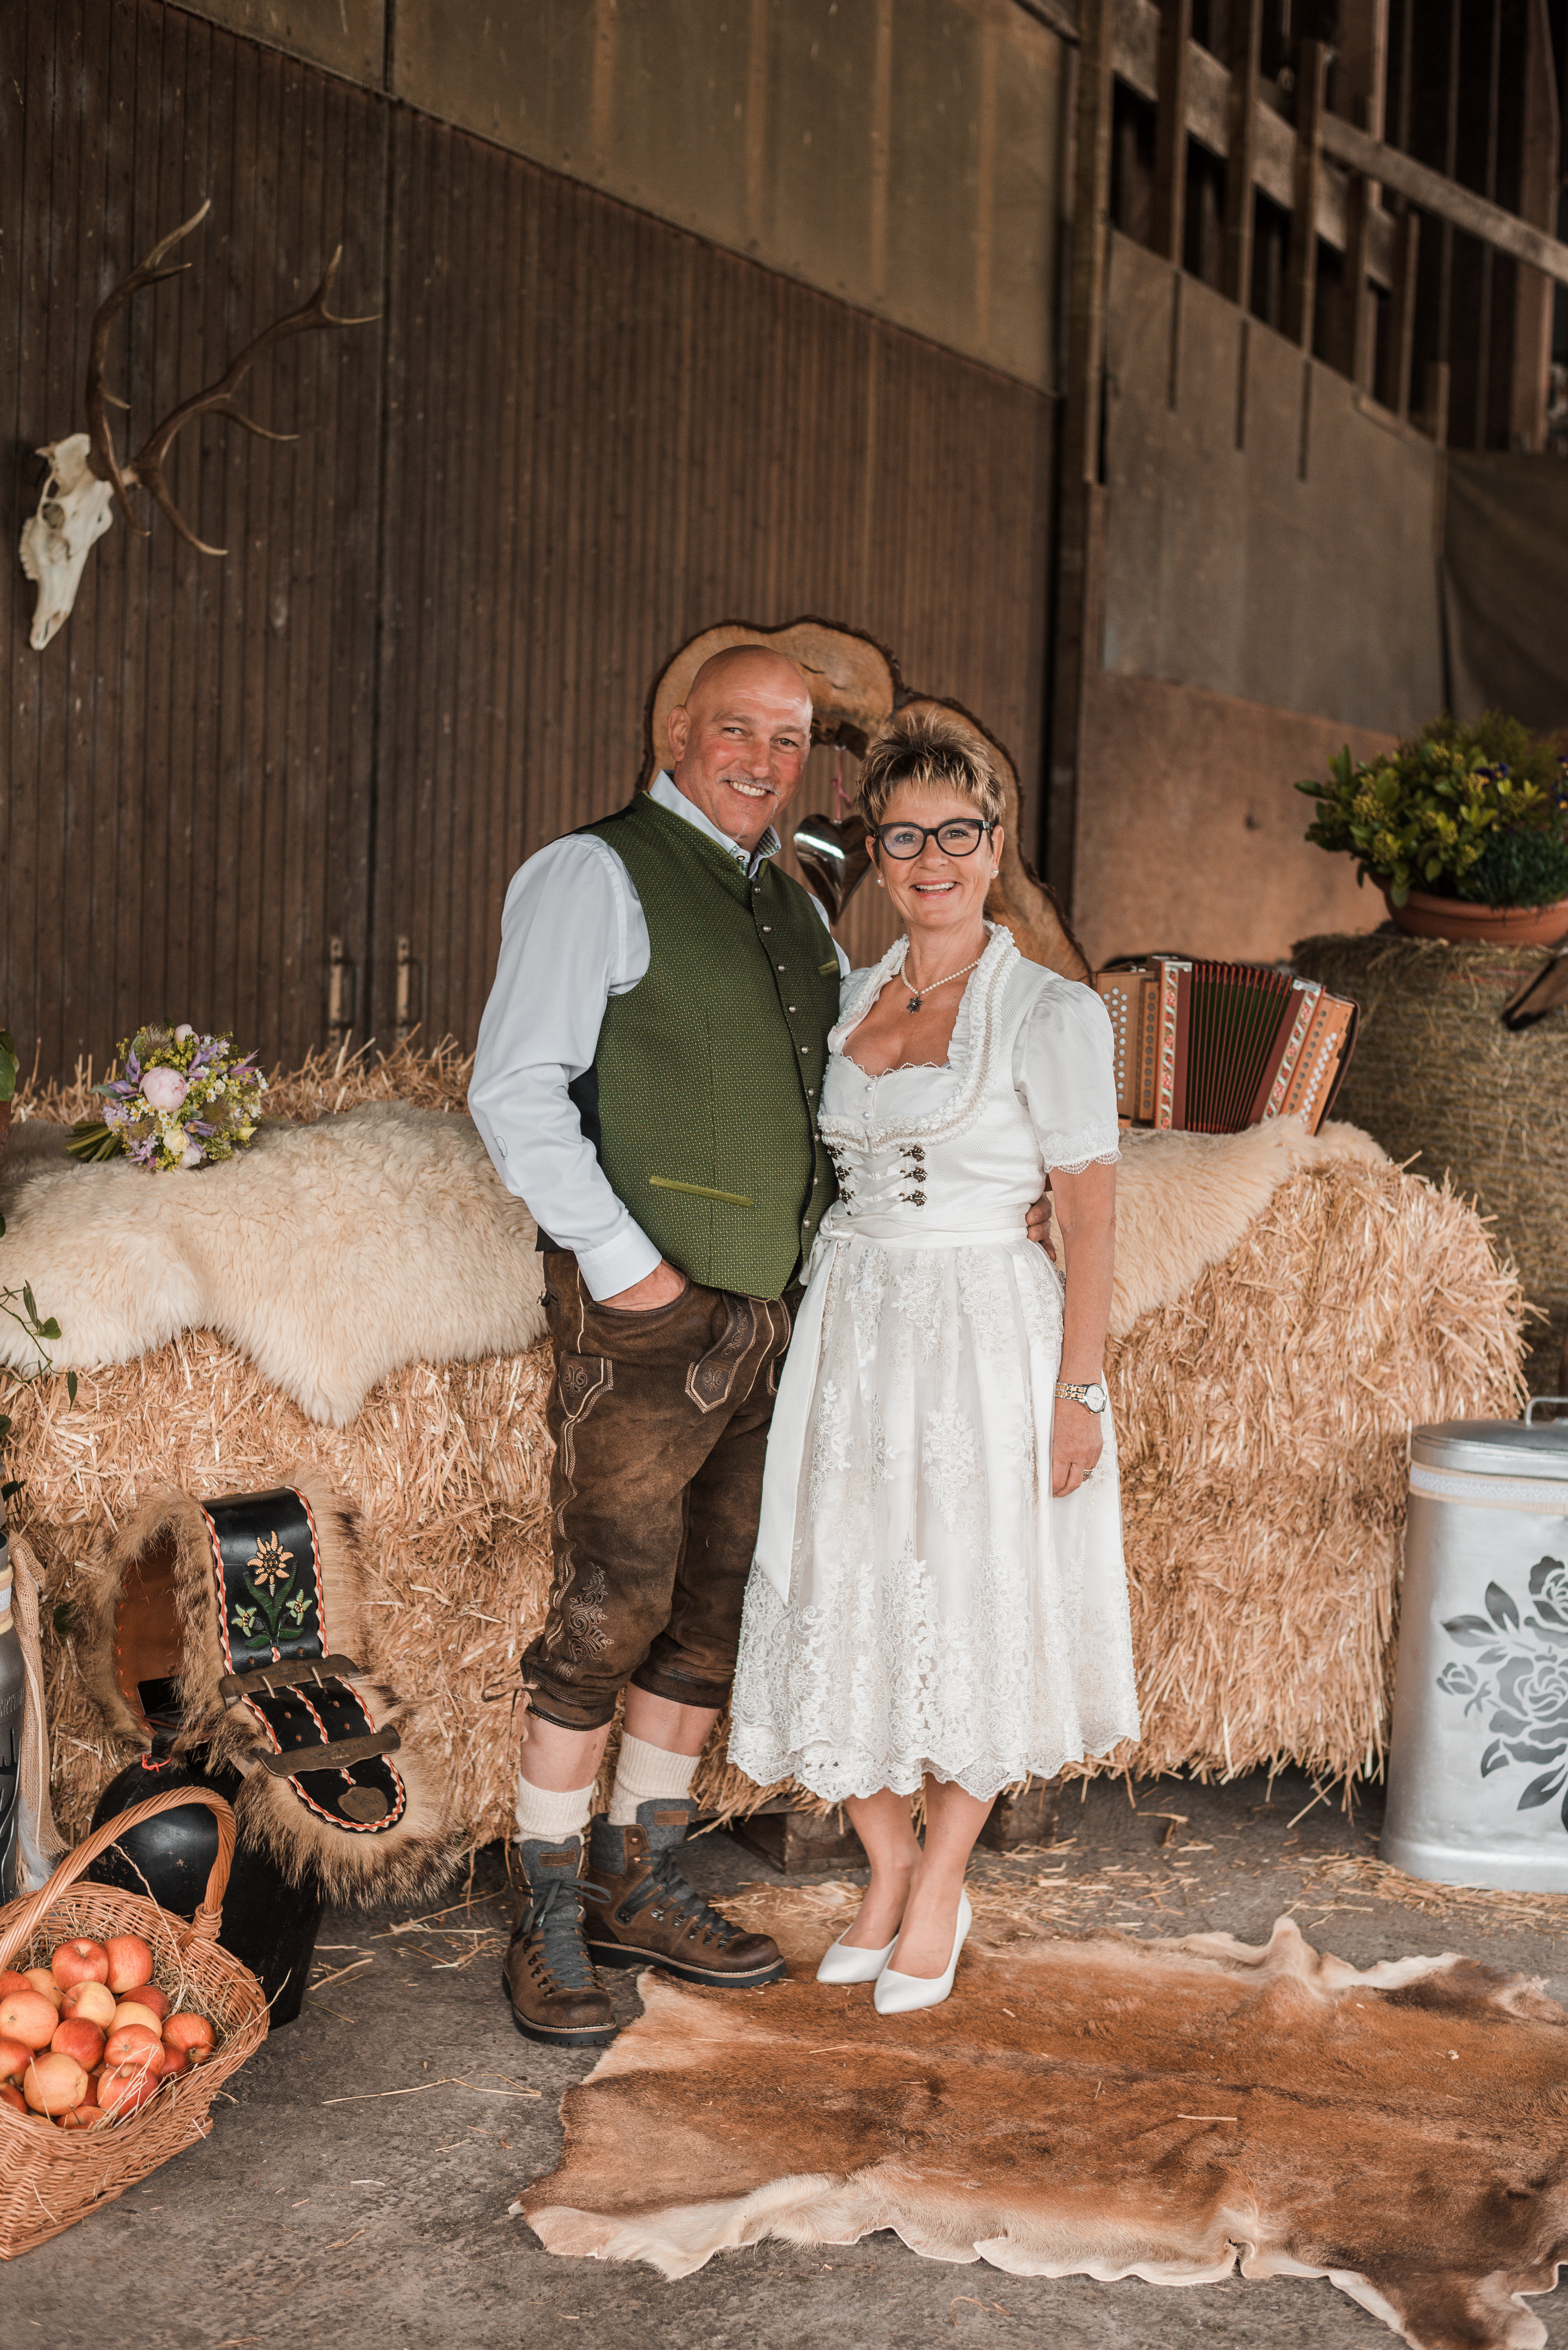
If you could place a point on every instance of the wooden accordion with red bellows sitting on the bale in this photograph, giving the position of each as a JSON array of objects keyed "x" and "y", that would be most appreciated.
[{"x": 1219, "y": 1047}]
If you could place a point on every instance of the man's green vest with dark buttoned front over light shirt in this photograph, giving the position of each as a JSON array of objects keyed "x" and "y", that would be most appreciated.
[{"x": 711, "y": 1070}]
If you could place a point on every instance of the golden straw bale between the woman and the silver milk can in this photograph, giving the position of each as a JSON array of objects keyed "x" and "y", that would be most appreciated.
[{"x": 1264, "y": 1432}]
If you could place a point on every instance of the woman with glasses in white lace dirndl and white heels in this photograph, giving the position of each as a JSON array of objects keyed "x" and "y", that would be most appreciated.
[{"x": 939, "y": 1590}]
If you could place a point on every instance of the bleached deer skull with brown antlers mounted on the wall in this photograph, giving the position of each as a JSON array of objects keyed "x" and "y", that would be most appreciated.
[{"x": 86, "y": 474}]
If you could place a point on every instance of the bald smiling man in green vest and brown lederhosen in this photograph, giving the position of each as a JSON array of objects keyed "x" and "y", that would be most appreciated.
[{"x": 648, "y": 1080}]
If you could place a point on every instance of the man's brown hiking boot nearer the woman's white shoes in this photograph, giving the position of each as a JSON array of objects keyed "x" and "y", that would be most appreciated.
[{"x": 643, "y": 1914}]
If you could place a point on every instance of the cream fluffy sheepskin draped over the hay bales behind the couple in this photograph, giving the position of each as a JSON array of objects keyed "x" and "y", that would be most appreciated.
[{"x": 335, "y": 1254}]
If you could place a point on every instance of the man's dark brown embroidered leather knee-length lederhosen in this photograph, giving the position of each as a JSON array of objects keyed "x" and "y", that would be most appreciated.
[{"x": 638, "y": 1409}]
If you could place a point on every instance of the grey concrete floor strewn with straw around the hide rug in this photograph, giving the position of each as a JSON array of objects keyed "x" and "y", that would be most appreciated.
[{"x": 328, "y": 2213}]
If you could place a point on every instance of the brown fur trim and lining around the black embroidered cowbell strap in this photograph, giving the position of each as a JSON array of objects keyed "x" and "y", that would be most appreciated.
[{"x": 154, "y": 1613}]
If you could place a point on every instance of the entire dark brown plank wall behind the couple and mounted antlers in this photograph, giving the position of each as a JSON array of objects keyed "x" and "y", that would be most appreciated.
[{"x": 575, "y": 441}]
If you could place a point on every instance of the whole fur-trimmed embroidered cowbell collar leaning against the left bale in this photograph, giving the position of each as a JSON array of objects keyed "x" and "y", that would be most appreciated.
[{"x": 250, "y": 1609}]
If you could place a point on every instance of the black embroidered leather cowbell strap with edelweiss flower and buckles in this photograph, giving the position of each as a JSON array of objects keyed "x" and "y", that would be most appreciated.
[{"x": 274, "y": 1630}]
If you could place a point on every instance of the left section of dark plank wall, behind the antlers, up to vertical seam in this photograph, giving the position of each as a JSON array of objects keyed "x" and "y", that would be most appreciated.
[{"x": 189, "y": 765}]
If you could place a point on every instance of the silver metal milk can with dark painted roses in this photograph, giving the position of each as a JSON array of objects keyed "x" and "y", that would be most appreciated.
[{"x": 1480, "y": 1752}]
